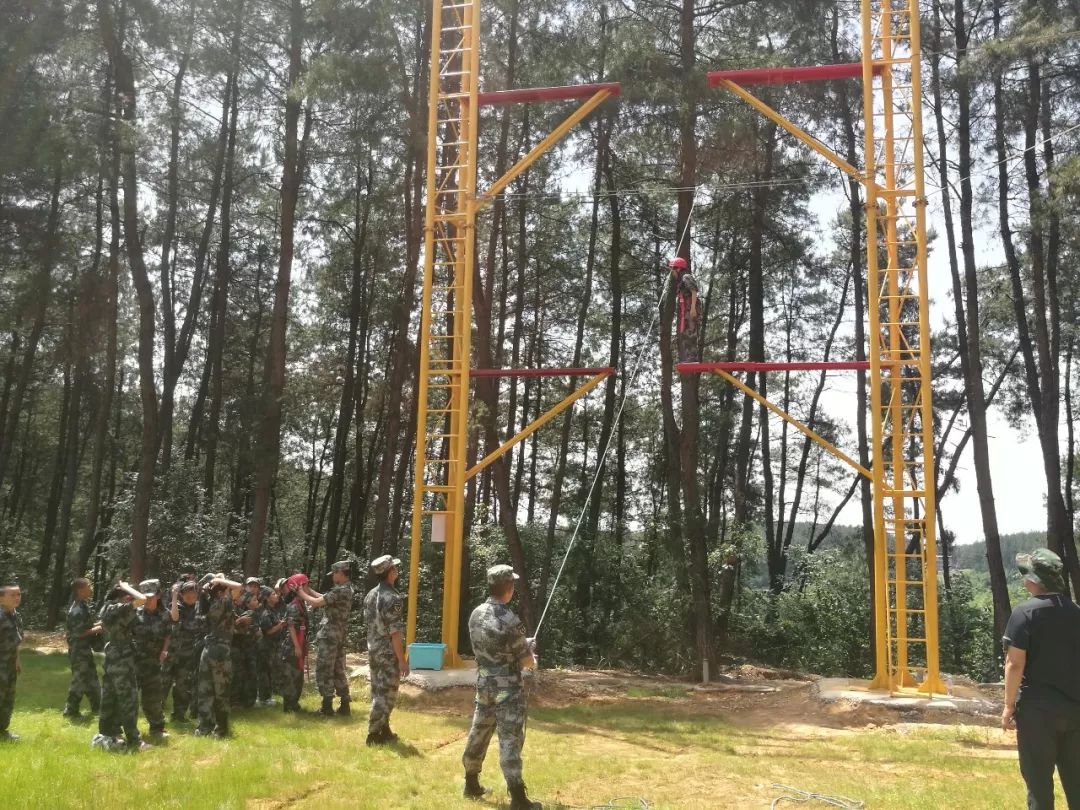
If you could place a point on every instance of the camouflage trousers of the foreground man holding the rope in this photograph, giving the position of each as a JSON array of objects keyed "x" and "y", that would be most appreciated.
[{"x": 499, "y": 707}]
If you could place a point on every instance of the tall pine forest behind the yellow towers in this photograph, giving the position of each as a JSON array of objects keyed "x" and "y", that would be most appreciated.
[{"x": 211, "y": 233}]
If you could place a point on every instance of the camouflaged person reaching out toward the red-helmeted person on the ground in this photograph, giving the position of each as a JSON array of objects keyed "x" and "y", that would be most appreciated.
[{"x": 330, "y": 661}]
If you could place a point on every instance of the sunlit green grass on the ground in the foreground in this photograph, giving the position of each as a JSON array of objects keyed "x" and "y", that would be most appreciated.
[{"x": 674, "y": 753}]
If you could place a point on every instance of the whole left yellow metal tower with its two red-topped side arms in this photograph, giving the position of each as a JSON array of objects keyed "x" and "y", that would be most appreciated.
[{"x": 452, "y": 207}]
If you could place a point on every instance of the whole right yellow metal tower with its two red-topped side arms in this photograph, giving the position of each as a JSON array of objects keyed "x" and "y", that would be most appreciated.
[{"x": 903, "y": 479}]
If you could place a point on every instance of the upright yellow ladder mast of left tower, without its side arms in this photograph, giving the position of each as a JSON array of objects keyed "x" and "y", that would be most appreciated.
[{"x": 447, "y": 315}]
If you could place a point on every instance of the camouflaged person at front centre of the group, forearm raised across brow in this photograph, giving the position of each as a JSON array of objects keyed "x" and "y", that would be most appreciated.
[{"x": 215, "y": 666}]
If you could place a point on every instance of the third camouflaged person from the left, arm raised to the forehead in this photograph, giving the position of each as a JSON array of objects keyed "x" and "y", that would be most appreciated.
[{"x": 120, "y": 676}]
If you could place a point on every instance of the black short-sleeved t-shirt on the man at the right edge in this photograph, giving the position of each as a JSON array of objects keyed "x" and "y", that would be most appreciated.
[{"x": 1048, "y": 629}]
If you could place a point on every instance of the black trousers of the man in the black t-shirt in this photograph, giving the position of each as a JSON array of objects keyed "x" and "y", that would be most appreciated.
[{"x": 1048, "y": 737}]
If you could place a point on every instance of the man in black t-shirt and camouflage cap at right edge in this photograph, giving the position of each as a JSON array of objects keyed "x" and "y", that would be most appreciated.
[{"x": 1043, "y": 688}]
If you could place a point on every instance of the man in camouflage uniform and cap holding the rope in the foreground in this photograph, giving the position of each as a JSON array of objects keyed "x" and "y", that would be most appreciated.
[{"x": 503, "y": 651}]
